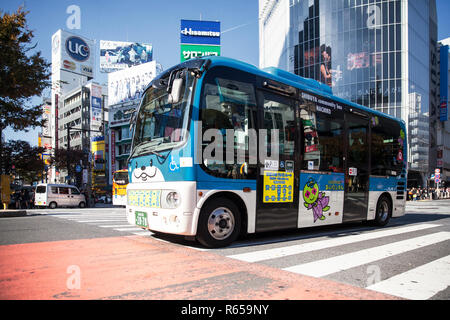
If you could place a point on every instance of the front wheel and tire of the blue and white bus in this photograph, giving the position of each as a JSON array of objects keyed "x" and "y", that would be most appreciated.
[{"x": 219, "y": 223}]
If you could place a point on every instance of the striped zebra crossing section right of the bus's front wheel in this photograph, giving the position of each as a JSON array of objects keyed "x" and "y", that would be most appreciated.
[{"x": 330, "y": 257}]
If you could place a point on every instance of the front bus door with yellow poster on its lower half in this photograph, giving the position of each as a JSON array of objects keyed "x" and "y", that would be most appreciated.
[{"x": 278, "y": 177}]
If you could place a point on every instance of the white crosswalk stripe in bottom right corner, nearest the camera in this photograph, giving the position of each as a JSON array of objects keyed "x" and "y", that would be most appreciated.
[{"x": 420, "y": 283}]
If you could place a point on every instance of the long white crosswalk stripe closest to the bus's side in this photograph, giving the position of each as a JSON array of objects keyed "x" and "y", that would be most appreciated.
[{"x": 324, "y": 244}]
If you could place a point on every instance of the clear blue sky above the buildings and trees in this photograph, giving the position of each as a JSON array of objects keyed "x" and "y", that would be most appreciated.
[{"x": 156, "y": 22}]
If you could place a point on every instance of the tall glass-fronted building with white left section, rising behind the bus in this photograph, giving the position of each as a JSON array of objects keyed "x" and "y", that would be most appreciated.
[{"x": 381, "y": 54}]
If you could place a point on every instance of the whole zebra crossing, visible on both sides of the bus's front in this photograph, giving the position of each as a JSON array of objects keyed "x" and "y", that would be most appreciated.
[{"x": 413, "y": 259}]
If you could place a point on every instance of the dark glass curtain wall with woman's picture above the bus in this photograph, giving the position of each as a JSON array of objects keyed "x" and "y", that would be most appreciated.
[{"x": 354, "y": 46}]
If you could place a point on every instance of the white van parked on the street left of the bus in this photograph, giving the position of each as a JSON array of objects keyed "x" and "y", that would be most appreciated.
[{"x": 58, "y": 195}]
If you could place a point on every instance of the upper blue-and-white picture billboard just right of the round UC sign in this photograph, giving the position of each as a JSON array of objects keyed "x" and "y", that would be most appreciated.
[{"x": 119, "y": 55}]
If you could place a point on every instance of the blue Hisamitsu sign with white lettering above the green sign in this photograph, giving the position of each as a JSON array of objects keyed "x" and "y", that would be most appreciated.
[{"x": 200, "y": 32}]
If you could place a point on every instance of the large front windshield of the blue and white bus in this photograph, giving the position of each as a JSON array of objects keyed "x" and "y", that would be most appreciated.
[{"x": 161, "y": 125}]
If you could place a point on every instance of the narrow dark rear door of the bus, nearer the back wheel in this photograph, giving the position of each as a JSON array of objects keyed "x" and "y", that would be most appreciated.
[{"x": 357, "y": 167}]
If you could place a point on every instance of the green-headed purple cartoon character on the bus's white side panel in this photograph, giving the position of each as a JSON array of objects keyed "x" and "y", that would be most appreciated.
[{"x": 315, "y": 200}]
